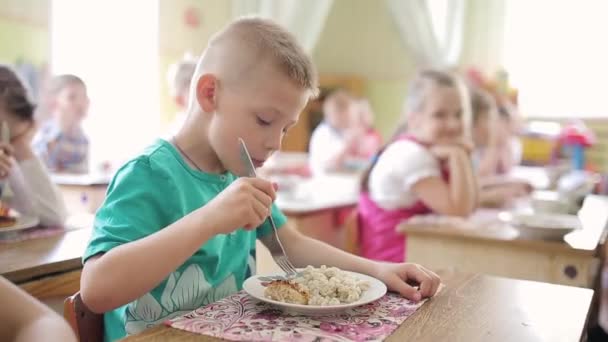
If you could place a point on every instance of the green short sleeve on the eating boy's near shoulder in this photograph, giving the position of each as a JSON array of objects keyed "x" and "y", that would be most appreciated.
[{"x": 133, "y": 208}]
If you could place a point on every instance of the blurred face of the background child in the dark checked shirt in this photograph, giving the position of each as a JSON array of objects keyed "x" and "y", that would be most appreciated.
[{"x": 72, "y": 103}]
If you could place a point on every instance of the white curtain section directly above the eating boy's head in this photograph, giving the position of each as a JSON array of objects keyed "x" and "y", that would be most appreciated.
[{"x": 304, "y": 19}]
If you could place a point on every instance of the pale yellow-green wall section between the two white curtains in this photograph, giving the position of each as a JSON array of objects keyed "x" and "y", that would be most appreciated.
[{"x": 360, "y": 38}]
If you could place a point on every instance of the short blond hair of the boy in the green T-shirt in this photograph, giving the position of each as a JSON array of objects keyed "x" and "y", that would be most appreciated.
[{"x": 250, "y": 41}]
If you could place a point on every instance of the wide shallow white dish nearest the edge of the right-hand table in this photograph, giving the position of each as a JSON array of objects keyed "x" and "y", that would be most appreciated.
[{"x": 544, "y": 225}]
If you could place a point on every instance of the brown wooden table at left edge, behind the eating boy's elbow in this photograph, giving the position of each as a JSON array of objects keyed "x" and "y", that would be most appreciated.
[{"x": 46, "y": 267}]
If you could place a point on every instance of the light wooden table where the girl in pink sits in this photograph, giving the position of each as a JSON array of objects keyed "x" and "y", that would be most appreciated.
[{"x": 479, "y": 245}]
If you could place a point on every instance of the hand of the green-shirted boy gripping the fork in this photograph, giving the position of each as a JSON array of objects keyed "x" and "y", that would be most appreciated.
[{"x": 245, "y": 203}]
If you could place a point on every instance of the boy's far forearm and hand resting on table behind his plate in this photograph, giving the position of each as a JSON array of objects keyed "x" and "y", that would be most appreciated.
[{"x": 397, "y": 277}]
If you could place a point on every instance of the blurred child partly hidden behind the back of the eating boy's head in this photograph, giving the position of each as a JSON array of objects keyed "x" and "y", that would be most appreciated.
[{"x": 179, "y": 77}]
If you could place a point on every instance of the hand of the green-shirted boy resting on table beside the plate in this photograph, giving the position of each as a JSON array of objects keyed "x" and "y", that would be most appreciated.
[{"x": 403, "y": 278}]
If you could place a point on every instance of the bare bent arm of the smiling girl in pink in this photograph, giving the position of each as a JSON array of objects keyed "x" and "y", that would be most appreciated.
[{"x": 459, "y": 196}]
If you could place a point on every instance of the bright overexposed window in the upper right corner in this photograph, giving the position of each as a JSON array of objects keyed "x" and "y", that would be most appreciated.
[{"x": 556, "y": 55}]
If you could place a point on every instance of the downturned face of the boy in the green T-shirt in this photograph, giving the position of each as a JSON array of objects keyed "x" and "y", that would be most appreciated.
[{"x": 260, "y": 111}]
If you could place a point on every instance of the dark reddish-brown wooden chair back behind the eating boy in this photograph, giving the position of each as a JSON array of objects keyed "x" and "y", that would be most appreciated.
[{"x": 87, "y": 325}]
